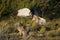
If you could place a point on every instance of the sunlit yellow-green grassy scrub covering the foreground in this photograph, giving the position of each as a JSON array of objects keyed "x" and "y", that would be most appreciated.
[{"x": 8, "y": 30}]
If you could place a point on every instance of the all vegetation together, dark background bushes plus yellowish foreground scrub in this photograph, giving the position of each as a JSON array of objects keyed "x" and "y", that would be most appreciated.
[{"x": 50, "y": 9}]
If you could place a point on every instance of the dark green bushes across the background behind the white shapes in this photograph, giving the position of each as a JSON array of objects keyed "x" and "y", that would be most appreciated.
[{"x": 49, "y": 8}]
